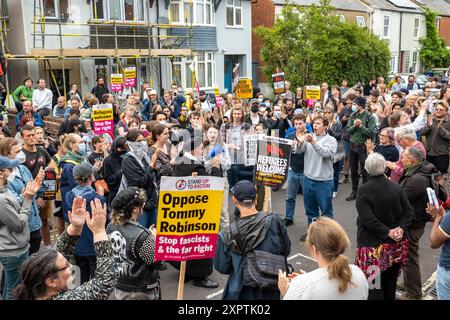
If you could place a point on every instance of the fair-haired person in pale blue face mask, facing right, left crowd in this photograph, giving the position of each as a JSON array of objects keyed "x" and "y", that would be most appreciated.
[{"x": 76, "y": 154}]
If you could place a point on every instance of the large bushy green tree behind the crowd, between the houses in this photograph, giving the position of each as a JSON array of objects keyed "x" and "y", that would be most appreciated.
[{"x": 311, "y": 45}]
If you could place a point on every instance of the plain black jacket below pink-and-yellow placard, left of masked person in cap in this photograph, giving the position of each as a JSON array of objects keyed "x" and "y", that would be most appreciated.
[{"x": 112, "y": 171}]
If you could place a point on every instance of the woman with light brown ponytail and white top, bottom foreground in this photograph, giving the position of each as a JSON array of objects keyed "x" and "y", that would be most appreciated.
[{"x": 335, "y": 279}]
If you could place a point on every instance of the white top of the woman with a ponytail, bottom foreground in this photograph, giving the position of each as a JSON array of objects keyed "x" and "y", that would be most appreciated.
[{"x": 316, "y": 285}]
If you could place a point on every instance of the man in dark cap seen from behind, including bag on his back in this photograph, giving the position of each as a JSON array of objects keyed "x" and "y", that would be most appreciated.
[{"x": 252, "y": 250}]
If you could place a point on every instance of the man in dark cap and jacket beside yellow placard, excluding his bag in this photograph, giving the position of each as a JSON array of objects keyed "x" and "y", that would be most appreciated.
[{"x": 258, "y": 231}]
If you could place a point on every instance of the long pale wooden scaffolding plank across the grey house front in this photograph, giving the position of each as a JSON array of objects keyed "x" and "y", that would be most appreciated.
[{"x": 81, "y": 53}]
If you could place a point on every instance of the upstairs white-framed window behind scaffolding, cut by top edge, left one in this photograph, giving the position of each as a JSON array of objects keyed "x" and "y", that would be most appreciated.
[{"x": 121, "y": 10}]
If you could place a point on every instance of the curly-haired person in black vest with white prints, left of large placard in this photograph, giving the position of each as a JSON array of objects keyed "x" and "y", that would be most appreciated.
[{"x": 134, "y": 247}]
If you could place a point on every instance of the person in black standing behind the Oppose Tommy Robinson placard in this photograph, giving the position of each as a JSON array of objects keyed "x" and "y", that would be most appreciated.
[{"x": 186, "y": 164}]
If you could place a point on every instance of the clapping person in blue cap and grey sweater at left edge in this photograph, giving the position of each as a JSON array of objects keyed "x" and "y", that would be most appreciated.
[{"x": 14, "y": 226}]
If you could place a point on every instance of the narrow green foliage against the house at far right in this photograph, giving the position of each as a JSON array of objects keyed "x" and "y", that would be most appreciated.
[{"x": 433, "y": 53}]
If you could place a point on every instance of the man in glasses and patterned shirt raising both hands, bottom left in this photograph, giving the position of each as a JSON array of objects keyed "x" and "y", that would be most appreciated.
[{"x": 47, "y": 275}]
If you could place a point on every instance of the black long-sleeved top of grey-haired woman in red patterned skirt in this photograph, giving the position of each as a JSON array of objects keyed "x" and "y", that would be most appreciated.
[{"x": 381, "y": 205}]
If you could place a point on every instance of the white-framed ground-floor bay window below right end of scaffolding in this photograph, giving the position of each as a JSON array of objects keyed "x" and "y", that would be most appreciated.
[{"x": 202, "y": 63}]
